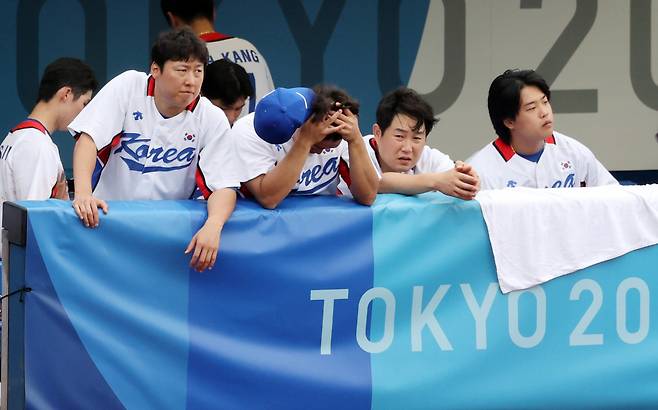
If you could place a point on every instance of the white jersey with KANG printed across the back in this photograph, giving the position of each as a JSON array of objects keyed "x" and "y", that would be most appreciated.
[{"x": 242, "y": 52}]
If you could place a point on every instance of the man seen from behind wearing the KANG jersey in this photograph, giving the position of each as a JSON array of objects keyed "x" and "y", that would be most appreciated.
[{"x": 200, "y": 16}]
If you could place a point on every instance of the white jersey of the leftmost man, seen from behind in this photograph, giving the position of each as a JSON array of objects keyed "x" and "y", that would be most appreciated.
[{"x": 30, "y": 166}]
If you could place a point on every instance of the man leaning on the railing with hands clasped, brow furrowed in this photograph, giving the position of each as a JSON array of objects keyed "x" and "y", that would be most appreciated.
[{"x": 398, "y": 148}]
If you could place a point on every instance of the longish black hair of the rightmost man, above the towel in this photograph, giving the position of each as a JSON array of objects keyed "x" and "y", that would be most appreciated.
[{"x": 504, "y": 99}]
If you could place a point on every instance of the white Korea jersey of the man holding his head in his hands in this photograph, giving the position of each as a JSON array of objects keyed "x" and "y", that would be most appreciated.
[{"x": 319, "y": 176}]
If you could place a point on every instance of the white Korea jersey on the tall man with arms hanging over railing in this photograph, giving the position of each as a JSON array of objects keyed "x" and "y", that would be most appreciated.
[{"x": 143, "y": 155}]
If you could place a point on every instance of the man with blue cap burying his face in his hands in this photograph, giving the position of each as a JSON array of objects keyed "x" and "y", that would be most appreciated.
[{"x": 308, "y": 160}]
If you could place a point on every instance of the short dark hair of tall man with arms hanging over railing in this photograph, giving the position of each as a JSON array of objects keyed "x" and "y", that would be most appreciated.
[{"x": 178, "y": 45}]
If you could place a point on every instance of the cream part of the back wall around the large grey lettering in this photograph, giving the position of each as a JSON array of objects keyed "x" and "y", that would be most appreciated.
[{"x": 500, "y": 35}]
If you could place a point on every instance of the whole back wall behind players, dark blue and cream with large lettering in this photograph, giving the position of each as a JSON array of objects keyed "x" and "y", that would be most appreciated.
[{"x": 598, "y": 57}]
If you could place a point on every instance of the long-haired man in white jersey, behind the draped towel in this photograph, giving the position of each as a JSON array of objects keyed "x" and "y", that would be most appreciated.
[{"x": 528, "y": 152}]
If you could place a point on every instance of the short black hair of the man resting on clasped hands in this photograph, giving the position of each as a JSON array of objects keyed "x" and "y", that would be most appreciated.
[{"x": 405, "y": 101}]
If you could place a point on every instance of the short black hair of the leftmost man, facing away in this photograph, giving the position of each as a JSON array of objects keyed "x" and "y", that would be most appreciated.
[{"x": 66, "y": 72}]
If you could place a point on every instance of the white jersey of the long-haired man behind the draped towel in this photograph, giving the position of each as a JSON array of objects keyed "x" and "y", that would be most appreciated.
[{"x": 565, "y": 162}]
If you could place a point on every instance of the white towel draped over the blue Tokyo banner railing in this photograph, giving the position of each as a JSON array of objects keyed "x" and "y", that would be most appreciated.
[{"x": 540, "y": 234}]
